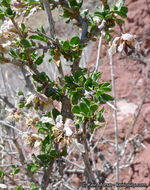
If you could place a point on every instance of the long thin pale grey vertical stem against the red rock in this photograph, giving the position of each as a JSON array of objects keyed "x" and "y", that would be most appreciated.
[{"x": 115, "y": 119}]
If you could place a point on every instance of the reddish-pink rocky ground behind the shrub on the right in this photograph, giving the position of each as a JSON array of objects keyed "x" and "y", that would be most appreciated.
[{"x": 132, "y": 80}]
